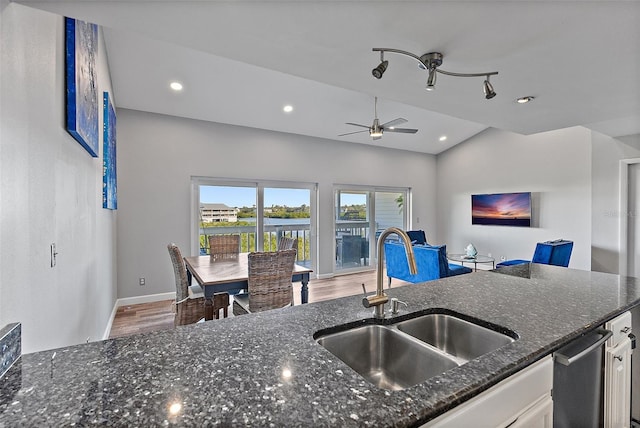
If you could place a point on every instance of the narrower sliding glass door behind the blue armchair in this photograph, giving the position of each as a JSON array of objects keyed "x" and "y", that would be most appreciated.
[{"x": 361, "y": 214}]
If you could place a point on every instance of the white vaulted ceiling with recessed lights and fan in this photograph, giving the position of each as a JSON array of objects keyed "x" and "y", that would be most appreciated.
[{"x": 241, "y": 61}]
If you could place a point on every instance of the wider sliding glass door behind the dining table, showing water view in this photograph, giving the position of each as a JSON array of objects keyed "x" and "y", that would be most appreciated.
[{"x": 260, "y": 212}]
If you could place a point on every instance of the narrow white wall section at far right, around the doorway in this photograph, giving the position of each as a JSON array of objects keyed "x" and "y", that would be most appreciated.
[{"x": 607, "y": 153}]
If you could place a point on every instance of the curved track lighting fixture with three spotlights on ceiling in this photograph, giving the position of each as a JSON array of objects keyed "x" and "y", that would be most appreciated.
[{"x": 430, "y": 62}]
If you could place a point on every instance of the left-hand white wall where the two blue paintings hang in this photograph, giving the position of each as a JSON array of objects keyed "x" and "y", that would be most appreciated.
[{"x": 50, "y": 192}]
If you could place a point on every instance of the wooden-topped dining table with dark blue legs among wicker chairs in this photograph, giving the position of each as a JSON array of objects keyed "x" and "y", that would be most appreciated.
[{"x": 217, "y": 275}]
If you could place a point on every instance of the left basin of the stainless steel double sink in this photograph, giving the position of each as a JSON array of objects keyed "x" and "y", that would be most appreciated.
[{"x": 385, "y": 357}]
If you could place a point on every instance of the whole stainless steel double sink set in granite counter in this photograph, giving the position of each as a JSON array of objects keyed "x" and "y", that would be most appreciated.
[{"x": 405, "y": 353}]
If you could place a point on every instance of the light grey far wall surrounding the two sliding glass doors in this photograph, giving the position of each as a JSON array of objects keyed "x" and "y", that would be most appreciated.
[{"x": 158, "y": 155}]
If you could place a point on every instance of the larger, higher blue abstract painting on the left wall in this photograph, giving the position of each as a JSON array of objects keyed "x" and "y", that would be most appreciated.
[{"x": 81, "y": 40}]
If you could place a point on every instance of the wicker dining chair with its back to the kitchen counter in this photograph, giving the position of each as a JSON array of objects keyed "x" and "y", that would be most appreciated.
[{"x": 269, "y": 282}]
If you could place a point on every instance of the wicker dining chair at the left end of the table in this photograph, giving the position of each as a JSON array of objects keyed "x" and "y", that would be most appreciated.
[{"x": 189, "y": 299}]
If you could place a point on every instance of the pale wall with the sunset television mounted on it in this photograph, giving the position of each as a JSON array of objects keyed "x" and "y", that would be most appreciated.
[{"x": 555, "y": 166}]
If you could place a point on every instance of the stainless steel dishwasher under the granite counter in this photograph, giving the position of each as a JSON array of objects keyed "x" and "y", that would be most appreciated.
[{"x": 578, "y": 382}]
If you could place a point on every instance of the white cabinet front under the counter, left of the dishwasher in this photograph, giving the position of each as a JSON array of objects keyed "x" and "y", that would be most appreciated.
[{"x": 522, "y": 400}]
